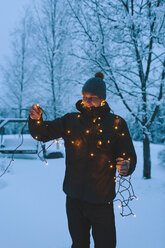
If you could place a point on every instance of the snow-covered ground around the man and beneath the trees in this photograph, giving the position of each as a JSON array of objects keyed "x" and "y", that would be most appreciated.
[{"x": 32, "y": 205}]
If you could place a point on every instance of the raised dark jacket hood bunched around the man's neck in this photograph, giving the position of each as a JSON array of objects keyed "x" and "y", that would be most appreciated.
[{"x": 93, "y": 111}]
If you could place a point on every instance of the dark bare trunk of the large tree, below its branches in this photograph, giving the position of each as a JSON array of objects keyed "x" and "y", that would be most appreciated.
[{"x": 146, "y": 157}]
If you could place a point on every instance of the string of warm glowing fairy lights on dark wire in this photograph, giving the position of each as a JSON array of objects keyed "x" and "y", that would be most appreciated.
[{"x": 124, "y": 189}]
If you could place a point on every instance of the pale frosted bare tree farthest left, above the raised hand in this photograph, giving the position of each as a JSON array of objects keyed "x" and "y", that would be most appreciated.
[{"x": 19, "y": 70}]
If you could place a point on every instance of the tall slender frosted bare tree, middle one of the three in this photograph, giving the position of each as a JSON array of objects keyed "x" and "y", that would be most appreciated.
[{"x": 49, "y": 37}]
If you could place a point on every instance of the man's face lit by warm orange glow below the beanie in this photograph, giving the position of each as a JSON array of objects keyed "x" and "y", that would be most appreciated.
[{"x": 90, "y": 100}]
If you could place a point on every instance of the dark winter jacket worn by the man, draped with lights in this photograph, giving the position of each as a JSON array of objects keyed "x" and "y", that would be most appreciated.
[{"x": 93, "y": 140}]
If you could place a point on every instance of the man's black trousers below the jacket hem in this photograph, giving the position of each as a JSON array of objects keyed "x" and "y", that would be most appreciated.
[{"x": 83, "y": 216}]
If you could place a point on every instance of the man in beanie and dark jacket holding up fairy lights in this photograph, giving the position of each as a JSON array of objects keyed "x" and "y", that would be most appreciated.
[{"x": 97, "y": 142}]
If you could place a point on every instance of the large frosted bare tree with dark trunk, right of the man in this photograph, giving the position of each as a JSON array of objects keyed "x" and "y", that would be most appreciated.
[{"x": 125, "y": 39}]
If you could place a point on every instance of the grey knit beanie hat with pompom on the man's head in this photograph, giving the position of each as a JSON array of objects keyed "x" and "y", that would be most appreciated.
[{"x": 96, "y": 86}]
